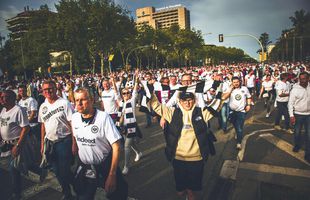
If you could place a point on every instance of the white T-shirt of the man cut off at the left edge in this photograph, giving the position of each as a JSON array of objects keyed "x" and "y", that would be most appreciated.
[{"x": 12, "y": 122}]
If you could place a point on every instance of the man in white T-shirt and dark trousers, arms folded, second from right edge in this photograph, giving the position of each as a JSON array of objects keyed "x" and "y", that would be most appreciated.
[{"x": 283, "y": 91}]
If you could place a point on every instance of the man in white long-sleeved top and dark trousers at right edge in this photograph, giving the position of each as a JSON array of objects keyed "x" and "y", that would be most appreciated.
[{"x": 299, "y": 110}]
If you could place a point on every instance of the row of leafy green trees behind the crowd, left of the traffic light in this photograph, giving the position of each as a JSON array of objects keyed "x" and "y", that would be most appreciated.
[{"x": 91, "y": 30}]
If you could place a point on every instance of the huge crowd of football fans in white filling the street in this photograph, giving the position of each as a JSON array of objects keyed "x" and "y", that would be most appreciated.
[{"x": 91, "y": 119}]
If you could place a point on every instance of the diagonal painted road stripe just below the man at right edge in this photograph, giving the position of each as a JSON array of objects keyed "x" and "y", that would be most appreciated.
[{"x": 284, "y": 146}]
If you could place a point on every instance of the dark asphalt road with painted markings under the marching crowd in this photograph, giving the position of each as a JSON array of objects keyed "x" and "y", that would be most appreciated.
[{"x": 266, "y": 168}]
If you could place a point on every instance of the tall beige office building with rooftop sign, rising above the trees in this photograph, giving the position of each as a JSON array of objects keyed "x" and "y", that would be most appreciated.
[{"x": 160, "y": 18}]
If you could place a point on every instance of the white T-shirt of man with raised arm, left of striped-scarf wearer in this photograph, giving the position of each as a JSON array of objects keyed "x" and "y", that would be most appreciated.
[{"x": 108, "y": 98}]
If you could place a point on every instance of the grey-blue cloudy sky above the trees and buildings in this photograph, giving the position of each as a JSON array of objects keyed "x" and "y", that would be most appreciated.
[{"x": 210, "y": 16}]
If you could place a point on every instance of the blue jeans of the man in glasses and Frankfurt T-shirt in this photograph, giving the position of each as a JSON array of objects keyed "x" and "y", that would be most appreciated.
[{"x": 61, "y": 164}]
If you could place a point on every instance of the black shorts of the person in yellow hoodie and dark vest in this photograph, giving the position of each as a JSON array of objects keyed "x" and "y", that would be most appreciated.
[{"x": 188, "y": 175}]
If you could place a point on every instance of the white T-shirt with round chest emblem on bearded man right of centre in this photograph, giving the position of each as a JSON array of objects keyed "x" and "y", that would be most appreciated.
[{"x": 237, "y": 100}]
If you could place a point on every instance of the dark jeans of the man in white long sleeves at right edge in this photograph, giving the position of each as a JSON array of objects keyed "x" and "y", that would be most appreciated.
[{"x": 302, "y": 121}]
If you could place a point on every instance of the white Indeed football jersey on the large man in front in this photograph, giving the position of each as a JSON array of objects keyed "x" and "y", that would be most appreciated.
[{"x": 94, "y": 140}]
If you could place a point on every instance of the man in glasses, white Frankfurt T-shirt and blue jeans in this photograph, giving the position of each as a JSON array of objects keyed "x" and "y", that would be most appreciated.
[{"x": 56, "y": 136}]
